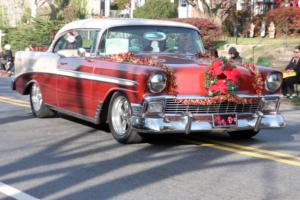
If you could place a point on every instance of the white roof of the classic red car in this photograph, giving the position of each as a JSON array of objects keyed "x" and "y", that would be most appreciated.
[{"x": 113, "y": 22}]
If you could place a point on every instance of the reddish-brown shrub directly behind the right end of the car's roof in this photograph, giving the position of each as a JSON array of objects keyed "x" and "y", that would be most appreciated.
[{"x": 208, "y": 29}]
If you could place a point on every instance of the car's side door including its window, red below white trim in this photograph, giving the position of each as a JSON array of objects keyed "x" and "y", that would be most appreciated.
[{"x": 75, "y": 69}]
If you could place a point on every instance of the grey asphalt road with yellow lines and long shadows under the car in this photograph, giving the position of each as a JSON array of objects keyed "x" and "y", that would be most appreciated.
[{"x": 63, "y": 158}]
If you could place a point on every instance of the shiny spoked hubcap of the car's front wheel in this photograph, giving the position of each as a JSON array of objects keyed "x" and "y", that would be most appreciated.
[{"x": 121, "y": 114}]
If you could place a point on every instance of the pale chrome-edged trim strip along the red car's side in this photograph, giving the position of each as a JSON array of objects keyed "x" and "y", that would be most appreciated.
[{"x": 87, "y": 76}]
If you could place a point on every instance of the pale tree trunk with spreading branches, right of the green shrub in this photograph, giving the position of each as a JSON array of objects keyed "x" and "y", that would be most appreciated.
[{"x": 218, "y": 10}]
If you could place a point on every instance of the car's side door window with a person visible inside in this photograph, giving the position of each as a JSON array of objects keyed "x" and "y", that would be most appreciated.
[{"x": 77, "y": 43}]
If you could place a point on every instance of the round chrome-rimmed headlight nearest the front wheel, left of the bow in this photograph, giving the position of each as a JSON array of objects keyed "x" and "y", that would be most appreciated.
[{"x": 157, "y": 82}]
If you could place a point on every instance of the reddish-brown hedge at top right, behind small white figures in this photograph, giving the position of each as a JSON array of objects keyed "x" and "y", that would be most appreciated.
[{"x": 285, "y": 19}]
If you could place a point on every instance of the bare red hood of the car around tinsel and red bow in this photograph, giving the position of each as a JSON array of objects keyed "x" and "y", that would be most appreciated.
[{"x": 190, "y": 75}]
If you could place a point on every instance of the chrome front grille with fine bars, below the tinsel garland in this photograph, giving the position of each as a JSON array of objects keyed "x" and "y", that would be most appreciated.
[{"x": 172, "y": 107}]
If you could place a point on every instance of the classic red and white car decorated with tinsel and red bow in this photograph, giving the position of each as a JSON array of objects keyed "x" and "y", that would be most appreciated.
[{"x": 147, "y": 76}]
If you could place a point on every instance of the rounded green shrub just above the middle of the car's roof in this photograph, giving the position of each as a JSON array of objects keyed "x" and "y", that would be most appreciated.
[{"x": 157, "y": 9}]
